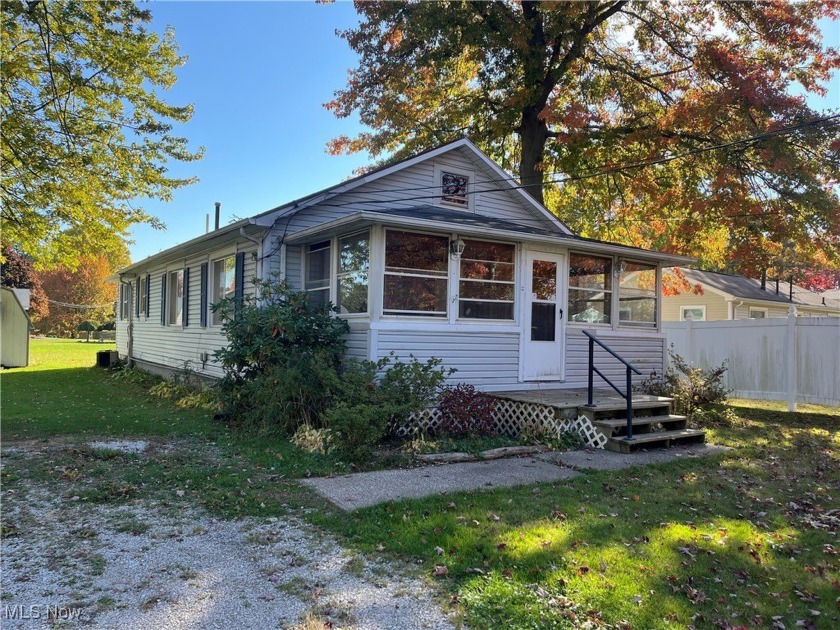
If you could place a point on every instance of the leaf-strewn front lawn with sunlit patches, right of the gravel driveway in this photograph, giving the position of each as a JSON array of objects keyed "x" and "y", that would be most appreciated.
[{"x": 738, "y": 540}]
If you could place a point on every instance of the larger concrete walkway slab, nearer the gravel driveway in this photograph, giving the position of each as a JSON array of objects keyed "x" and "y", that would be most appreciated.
[{"x": 358, "y": 490}]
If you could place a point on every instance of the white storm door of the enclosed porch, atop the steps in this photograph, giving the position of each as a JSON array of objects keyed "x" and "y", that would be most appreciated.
[{"x": 545, "y": 324}]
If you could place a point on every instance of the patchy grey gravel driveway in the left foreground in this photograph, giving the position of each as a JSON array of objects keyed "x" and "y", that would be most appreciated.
[{"x": 149, "y": 565}]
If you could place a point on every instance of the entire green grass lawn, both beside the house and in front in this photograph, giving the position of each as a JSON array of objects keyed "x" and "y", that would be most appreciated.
[{"x": 737, "y": 540}]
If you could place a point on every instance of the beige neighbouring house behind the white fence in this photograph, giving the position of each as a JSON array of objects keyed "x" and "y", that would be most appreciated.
[{"x": 727, "y": 296}]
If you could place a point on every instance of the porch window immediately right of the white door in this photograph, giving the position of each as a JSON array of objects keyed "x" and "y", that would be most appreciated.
[{"x": 590, "y": 289}]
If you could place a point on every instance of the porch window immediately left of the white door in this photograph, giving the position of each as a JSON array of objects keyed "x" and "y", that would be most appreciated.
[{"x": 486, "y": 286}]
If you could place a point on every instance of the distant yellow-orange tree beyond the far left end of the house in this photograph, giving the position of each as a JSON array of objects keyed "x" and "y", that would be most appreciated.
[{"x": 77, "y": 295}]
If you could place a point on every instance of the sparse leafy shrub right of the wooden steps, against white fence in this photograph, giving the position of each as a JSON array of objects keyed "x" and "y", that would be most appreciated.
[{"x": 699, "y": 394}]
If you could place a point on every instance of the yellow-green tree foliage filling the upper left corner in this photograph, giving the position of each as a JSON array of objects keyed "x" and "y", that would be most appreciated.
[{"x": 85, "y": 129}]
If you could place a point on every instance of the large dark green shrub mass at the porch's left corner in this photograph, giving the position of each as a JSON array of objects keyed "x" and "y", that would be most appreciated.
[{"x": 283, "y": 370}]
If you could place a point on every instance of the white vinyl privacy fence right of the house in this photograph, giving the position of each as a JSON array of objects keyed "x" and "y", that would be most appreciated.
[{"x": 796, "y": 359}]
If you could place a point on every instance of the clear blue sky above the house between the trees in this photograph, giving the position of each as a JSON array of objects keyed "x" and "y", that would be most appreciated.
[{"x": 258, "y": 74}]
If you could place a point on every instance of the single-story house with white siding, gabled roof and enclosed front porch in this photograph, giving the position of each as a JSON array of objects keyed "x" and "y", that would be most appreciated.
[{"x": 440, "y": 255}]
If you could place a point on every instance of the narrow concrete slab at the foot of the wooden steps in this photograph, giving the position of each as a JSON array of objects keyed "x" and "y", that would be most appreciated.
[{"x": 594, "y": 459}]
